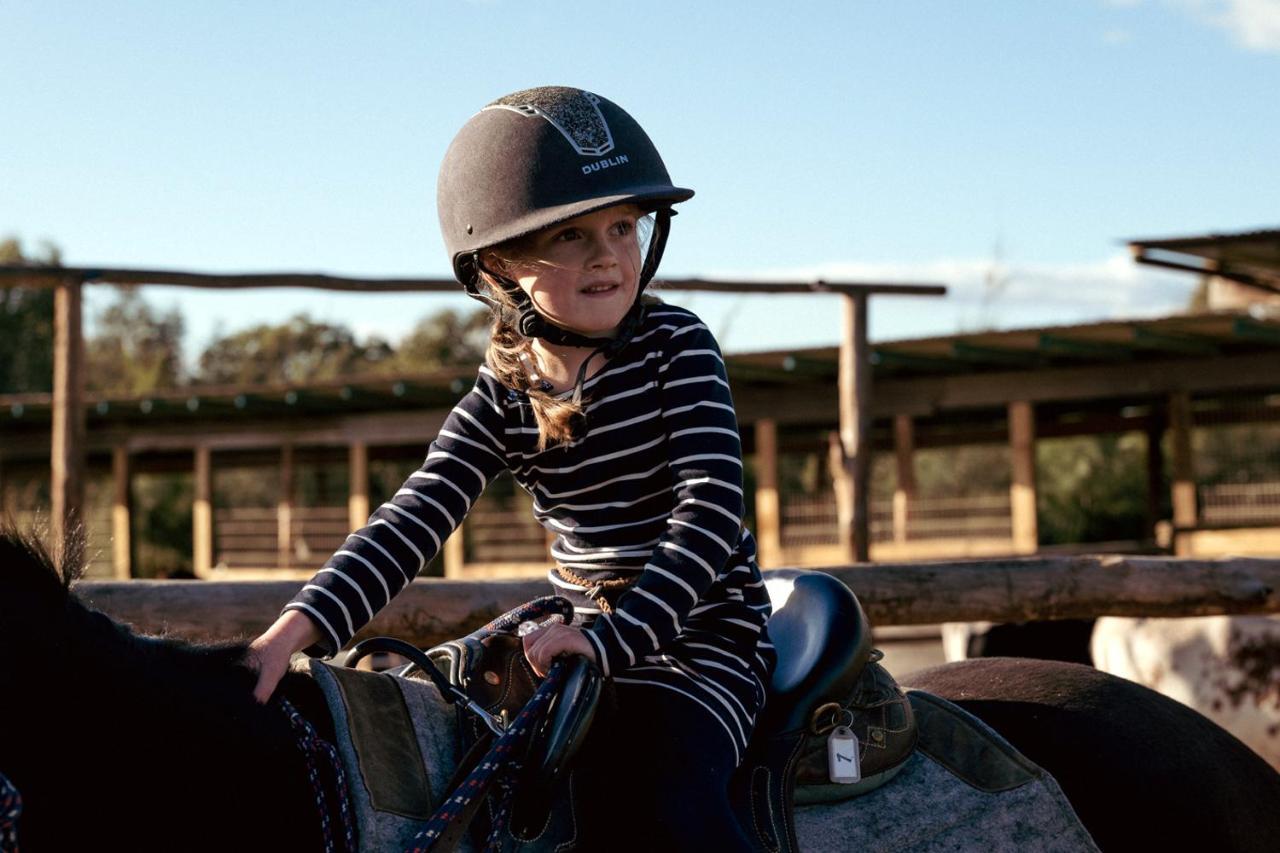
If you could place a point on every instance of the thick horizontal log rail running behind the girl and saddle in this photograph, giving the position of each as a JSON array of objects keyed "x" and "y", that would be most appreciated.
[{"x": 917, "y": 594}]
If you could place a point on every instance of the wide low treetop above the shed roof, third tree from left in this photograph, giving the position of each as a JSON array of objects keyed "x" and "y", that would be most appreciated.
[{"x": 294, "y": 353}]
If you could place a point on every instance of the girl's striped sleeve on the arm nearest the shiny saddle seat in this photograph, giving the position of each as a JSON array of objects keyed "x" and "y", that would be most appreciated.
[{"x": 707, "y": 494}]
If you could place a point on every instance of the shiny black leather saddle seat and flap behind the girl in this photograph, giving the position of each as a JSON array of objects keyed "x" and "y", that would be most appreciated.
[{"x": 824, "y": 644}]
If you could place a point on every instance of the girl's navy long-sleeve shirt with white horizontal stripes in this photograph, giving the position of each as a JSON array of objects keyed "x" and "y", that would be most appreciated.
[{"x": 651, "y": 490}]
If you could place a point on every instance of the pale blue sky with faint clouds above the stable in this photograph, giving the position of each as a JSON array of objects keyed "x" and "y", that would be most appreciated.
[{"x": 1003, "y": 148}]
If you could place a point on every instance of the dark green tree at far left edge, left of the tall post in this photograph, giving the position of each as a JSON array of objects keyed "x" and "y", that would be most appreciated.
[{"x": 28, "y": 325}]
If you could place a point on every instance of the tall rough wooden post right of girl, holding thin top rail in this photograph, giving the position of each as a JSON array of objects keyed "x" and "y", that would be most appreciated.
[{"x": 856, "y": 421}]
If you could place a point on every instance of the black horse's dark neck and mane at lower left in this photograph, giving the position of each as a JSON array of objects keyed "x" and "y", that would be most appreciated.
[{"x": 149, "y": 737}]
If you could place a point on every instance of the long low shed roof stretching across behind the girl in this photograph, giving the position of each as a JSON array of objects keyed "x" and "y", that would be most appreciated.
[{"x": 1114, "y": 343}]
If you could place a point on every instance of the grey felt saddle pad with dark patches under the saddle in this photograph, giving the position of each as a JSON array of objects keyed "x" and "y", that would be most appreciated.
[{"x": 964, "y": 788}]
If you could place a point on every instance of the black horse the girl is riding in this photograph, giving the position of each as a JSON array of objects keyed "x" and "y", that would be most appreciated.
[{"x": 153, "y": 743}]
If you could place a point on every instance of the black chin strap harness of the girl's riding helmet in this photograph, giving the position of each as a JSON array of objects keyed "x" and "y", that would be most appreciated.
[{"x": 532, "y": 325}]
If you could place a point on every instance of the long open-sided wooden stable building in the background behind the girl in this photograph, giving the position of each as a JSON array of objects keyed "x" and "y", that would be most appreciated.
[{"x": 309, "y": 463}]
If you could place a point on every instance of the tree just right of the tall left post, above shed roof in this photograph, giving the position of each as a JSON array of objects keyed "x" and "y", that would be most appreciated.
[{"x": 135, "y": 350}]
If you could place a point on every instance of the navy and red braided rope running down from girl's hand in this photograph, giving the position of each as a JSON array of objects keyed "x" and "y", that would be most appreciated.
[{"x": 499, "y": 767}]
